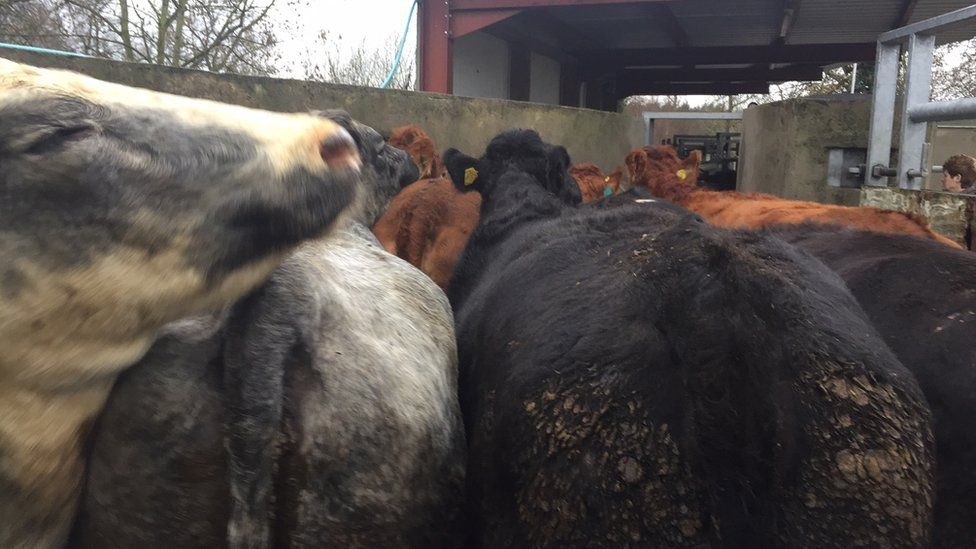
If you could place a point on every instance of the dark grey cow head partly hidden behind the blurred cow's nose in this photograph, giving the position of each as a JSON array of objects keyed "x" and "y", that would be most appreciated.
[{"x": 386, "y": 169}]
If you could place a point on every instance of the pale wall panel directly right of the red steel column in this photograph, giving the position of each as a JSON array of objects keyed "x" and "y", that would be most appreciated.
[{"x": 481, "y": 66}]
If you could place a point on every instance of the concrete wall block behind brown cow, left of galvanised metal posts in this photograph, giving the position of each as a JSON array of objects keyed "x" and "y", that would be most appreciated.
[{"x": 785, "y": 146}]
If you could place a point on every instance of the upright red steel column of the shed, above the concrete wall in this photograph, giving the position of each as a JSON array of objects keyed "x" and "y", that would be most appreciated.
[{"x": 436, "y": 64}]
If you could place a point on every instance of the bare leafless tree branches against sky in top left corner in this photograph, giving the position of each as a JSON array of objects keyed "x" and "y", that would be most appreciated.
[{"x": 230, "y": 35}]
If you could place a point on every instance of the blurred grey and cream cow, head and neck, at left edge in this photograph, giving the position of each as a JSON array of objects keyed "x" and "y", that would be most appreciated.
[{"x": 121, "y": 210}]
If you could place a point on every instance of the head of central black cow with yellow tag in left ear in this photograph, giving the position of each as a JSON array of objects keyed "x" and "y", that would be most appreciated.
[{"x": 519, "y": 151}]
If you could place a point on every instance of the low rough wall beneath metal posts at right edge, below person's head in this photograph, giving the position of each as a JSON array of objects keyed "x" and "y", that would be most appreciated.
[{"x": 948, "y": 214}]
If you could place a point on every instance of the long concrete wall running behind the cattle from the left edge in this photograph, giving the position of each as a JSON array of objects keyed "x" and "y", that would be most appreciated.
[{"x": 467, "y": 124}]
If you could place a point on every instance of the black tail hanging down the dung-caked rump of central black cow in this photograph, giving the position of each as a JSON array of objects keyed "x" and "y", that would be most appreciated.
[{"x": 732, "y": 372}]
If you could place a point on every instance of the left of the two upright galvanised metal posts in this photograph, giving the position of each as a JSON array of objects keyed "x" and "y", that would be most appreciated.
[{"x": 882, "y": 112}]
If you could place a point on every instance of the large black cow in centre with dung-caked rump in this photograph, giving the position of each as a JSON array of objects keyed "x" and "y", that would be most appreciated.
[{"x": 633, "y": 376}]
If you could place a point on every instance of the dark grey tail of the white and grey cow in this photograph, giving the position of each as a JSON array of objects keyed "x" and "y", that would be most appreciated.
[{"x": 259, "y": 338}]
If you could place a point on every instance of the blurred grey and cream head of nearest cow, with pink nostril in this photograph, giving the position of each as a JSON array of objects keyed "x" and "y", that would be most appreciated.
[{"x": 121, "y": 209}]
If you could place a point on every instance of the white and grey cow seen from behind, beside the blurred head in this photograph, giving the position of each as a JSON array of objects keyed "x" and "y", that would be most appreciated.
[{"x": 320, "y": 411}]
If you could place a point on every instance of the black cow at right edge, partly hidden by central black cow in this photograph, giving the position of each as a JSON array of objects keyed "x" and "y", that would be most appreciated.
[{"x": 921, "y": 296}]
